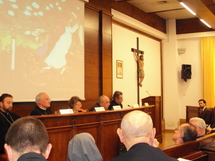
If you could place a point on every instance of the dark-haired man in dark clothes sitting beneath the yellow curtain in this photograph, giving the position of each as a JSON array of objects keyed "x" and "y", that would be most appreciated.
[{"x": 205, "y": 112}]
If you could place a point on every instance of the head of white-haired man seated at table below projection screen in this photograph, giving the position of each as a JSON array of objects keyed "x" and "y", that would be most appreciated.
[{"x": 43, "y": 101}]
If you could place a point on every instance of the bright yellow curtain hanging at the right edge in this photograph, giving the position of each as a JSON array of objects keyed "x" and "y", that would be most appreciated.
[{"x": 208, "y": 69}]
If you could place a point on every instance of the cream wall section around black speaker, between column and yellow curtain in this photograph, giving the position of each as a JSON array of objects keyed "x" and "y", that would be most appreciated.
[{"x": 191, "y": 91}]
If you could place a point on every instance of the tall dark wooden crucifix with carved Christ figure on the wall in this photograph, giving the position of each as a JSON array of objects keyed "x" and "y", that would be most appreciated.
[{"x": 138, "y": 55}]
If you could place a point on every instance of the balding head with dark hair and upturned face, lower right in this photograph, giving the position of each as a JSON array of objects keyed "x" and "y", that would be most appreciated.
[{"x": 185, "y": 132}]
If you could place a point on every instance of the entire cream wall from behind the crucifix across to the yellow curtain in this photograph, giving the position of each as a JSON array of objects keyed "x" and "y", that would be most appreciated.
[{"x": 176, "y": 93}]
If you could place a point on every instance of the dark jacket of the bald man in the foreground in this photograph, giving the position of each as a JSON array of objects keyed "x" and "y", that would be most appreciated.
[{"x": 143, "y": 151}]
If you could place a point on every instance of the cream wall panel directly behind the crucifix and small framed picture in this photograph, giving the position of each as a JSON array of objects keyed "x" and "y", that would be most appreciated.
[{"x": 122, "y": 51}]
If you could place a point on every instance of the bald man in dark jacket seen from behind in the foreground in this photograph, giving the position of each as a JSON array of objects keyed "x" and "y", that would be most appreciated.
[{"x": 137, "y": 134}]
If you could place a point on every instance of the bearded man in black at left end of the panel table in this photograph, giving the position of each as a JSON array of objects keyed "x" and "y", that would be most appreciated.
[{"x": 6, "y": 117}]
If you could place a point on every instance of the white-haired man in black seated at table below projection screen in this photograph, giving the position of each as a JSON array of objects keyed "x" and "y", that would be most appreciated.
[{"x": 43, "y": 105}]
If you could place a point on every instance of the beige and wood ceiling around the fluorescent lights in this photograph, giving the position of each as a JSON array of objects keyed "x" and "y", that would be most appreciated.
[{"x": 172, "y": 9}]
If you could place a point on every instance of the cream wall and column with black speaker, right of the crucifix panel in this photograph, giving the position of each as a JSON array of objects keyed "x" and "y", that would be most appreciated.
[{"x": 177, "y": 93}]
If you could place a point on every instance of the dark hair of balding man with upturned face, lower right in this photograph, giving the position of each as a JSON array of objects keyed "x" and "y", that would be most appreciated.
[{"x": 190, "y": 132}]
